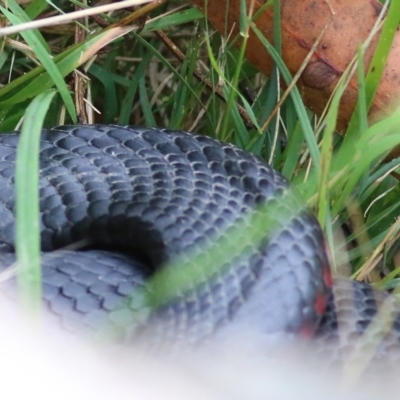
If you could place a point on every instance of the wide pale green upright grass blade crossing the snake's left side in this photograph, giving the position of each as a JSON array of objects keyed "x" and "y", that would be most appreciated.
[{"x": 27, "y": 243}]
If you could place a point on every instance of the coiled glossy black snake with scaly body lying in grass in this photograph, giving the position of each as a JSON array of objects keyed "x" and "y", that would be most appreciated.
[{"x": 154, "y": 196}]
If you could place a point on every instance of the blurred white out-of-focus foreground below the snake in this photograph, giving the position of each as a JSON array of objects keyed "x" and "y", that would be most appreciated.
[{"x": 54, "y": 366}]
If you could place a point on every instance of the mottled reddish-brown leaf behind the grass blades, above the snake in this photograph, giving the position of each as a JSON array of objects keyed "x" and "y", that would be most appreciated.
[{"x": 347, "y": 24}]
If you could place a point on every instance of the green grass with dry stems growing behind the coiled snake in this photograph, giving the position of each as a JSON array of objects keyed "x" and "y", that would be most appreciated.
[{"x": 140, "y": 78}]
